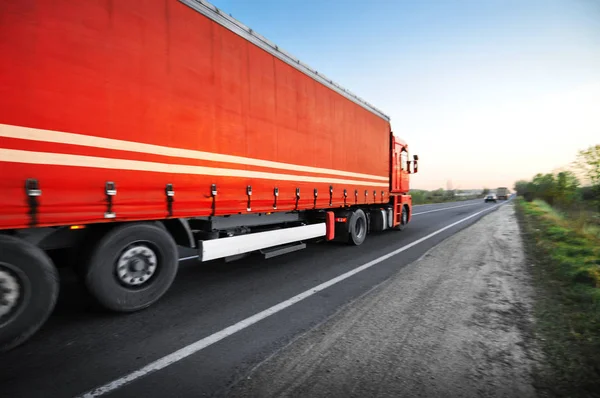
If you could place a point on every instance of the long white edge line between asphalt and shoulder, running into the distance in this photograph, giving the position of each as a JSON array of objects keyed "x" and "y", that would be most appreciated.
[{"x": 243, "y": 324}]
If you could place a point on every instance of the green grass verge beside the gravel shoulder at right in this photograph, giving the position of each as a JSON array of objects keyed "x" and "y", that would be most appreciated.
[{"x": 566, "y": 275}]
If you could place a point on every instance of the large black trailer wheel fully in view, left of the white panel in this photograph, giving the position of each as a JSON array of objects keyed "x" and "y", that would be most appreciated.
[{"x": 131, "y": 267}]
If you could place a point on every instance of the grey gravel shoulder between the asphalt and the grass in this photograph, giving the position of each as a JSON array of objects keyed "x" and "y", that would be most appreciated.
[{"x": 453, "y": 324}]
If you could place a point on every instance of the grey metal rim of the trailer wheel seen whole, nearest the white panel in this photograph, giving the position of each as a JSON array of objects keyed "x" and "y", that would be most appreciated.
[{"x": 136, "y": 265}]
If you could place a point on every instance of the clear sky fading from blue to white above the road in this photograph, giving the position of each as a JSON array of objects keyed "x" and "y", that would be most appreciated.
[{"x": 486, "y": 92}]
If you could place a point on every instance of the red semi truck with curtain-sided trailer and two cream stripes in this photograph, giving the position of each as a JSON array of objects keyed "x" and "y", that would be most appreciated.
[{"x": 129, "y": 128}]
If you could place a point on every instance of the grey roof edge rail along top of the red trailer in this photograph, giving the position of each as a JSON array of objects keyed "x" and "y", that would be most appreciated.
[{"x": 222, "y": 18}]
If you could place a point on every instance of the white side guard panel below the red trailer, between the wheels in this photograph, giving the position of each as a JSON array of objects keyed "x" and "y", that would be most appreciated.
[{"x": 225, "y": 247}]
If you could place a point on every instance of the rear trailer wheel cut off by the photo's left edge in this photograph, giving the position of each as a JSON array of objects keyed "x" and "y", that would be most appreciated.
[{"x": 28, "y": 290}]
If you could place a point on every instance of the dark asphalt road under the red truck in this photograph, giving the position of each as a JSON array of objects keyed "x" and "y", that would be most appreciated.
[{"x": 82, "y": 348}]
